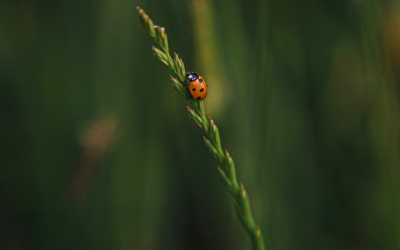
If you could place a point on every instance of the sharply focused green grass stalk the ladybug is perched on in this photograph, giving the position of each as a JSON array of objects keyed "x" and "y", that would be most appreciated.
[{"x": 212, "y": 140}]
